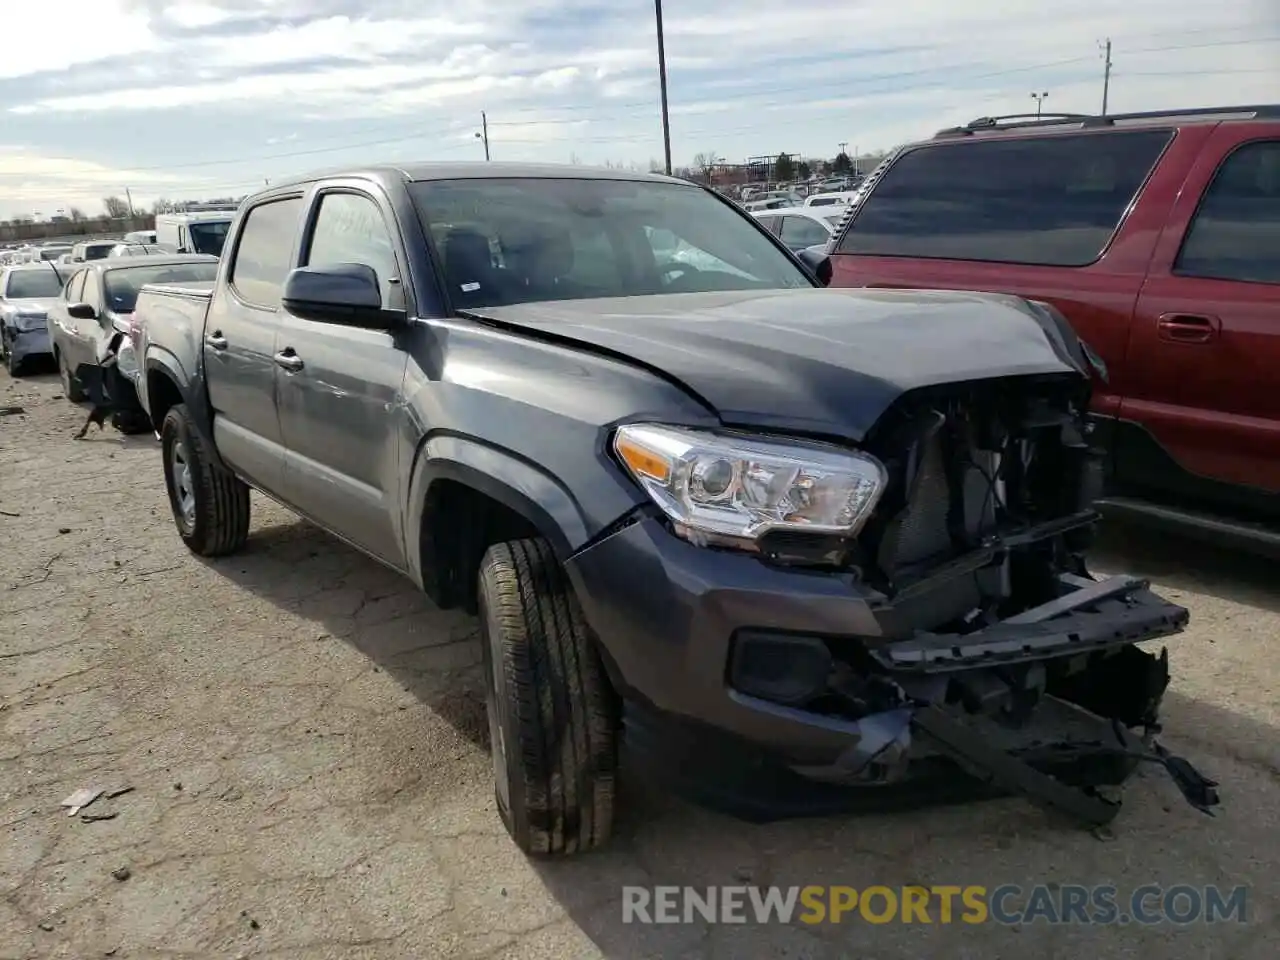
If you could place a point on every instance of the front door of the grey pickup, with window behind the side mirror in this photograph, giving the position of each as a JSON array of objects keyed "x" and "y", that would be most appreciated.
[{"x": 341, "y": 388}]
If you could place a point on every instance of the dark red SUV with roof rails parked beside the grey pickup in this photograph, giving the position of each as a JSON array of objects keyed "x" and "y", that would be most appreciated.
[{"x": 1159, "y": 237}]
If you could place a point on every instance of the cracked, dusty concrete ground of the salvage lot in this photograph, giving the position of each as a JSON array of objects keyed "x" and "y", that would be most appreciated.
[{"x": 305, "y": 740}]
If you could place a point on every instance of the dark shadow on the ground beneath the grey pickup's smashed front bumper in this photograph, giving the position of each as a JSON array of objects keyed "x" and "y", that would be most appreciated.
[{"x": 988, "y": 844}]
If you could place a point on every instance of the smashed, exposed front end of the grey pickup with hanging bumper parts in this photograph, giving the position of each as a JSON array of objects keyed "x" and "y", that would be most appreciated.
[{"x": 998, "y": 650}]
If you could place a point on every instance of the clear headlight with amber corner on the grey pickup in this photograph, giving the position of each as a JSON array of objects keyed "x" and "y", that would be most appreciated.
[{"x": 719, "y": 487}]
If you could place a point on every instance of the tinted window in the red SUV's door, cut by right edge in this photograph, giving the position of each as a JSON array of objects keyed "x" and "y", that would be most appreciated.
[{"x": 1236, "y": 235}]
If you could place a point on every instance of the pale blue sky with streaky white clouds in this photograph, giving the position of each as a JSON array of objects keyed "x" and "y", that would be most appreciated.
[{"x": 186, "y": 99}]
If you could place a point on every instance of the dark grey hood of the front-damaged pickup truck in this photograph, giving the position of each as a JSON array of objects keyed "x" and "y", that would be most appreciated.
[{"x": 824, "y": 362}]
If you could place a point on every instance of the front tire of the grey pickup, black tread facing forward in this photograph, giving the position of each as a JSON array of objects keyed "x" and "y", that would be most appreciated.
[{"x": 552, "y": 714}]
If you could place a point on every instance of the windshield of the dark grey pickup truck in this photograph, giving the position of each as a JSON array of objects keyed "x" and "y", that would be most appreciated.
[{"x": 519, "y": 241}]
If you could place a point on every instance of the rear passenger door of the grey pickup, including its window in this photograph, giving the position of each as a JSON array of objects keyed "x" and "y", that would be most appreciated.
[{"x": 240, "y": 342}]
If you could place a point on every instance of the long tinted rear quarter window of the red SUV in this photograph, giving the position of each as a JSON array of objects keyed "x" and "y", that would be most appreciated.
[{"x": 1053, "y": 202}]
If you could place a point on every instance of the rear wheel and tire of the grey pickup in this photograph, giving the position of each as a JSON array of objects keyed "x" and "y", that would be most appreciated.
[{"x": 217, "y": 523}]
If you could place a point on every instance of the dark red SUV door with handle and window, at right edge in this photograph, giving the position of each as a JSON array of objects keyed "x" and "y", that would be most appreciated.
[{"x": 1209, "y": 328}]
